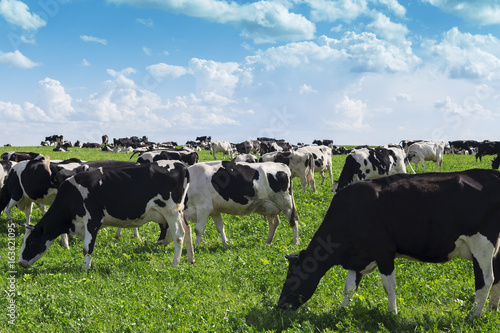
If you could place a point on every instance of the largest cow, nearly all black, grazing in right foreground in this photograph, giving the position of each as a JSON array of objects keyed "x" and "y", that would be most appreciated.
[{"x": 368, "y": 225}]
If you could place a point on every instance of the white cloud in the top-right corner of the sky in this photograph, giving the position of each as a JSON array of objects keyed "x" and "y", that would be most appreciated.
[{"x": 476, "y": 11}]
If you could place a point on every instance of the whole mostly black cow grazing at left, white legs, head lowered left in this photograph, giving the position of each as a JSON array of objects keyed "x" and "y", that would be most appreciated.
[{"x": 95, "y": 199}]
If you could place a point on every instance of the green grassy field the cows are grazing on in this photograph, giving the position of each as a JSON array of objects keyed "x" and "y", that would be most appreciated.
[{"x": 132, "y": 288}]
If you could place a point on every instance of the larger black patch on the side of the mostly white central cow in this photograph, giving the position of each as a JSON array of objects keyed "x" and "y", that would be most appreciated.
[{"x": 235, "y": 181}]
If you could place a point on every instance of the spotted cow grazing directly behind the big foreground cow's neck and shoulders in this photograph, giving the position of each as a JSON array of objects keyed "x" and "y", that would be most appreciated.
[{"x": 369, "y": 163}]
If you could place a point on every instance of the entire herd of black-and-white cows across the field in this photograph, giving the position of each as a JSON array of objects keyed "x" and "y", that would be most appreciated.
[{"x": 367, "y": 226}]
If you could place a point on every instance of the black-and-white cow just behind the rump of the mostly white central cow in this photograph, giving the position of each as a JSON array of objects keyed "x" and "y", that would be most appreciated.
[{"x": 300, "y": 162}]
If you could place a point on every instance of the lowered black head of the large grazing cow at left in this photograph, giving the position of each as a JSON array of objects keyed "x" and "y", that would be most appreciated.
[{"x": 35, "y": 243}]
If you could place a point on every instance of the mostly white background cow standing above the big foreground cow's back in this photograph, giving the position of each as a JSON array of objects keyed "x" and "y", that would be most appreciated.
[{"x": 426, "y": 151}]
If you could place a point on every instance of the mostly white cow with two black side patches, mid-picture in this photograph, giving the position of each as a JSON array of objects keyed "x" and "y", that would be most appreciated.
[{"x": 240, "y": 189}]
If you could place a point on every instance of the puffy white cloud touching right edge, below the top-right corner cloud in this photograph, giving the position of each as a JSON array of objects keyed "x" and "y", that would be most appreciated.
[{"x": 463, "y": 55}]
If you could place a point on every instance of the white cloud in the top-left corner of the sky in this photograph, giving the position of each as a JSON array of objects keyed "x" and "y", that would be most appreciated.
[{"x": 17, "y": 13}]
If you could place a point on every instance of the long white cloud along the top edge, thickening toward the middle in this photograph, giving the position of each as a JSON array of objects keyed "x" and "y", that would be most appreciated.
[{"x": 262, "y": 21}]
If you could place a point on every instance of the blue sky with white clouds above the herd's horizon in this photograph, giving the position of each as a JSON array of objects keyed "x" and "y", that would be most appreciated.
[{"x": 352, "y": 71}]
